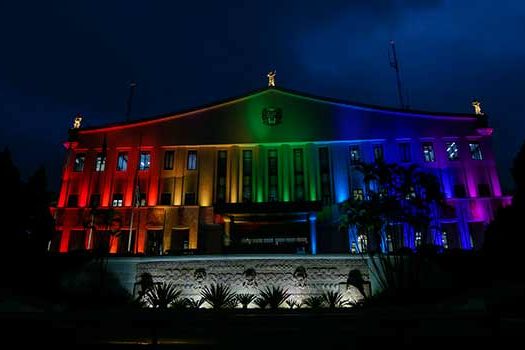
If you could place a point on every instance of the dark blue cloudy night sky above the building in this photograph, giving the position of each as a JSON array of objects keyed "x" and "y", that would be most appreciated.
[{"x": 60, "y": 58}]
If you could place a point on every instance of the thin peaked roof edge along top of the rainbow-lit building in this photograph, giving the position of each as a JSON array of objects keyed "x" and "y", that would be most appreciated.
[{"x": 253, "y": 93}]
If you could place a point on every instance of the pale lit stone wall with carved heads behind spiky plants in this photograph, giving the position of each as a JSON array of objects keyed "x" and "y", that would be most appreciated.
[{"x": 301, "y": 275}]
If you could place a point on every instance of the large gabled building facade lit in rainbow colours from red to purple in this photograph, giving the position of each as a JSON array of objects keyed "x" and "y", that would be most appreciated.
[{"x": 264, "y": 173}]
